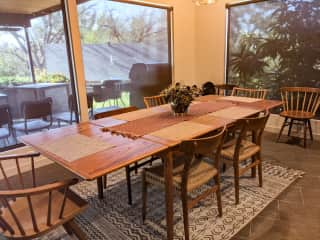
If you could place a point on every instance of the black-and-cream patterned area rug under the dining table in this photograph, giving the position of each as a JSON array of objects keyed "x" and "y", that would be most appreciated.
[{"x": 113, "y": 219}]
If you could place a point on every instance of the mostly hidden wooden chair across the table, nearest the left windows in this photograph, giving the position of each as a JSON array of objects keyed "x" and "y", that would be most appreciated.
[{"x": 129, "y": 169}]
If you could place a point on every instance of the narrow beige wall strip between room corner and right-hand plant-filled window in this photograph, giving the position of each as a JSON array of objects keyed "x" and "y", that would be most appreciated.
[{"x": 210, "y": 24}]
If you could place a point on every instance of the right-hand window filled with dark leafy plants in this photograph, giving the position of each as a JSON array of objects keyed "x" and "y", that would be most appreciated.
[{"x": 274, "y": 43}]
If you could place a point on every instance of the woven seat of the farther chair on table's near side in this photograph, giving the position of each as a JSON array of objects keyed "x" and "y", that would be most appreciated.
[{"x": 247, "y": 150}]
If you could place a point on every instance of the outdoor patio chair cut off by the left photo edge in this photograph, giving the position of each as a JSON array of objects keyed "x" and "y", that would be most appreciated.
[{"x": 5, "y": 124}]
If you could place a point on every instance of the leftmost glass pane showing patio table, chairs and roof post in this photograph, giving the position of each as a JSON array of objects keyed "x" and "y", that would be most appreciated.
[{"x": 34, "y": 74}]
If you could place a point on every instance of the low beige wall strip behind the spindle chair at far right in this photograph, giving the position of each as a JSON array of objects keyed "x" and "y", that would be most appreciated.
[{"x": 275, "y": 122}]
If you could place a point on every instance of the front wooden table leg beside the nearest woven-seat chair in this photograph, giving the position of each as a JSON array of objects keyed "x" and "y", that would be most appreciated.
[{"x": 169, "y": 194}]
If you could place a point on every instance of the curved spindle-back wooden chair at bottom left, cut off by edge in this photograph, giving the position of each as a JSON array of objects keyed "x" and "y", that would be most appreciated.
[{"x": 31, "y": 211}]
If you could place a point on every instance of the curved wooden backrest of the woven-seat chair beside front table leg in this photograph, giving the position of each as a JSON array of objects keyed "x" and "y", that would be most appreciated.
[{"x": 202, "y": 147}]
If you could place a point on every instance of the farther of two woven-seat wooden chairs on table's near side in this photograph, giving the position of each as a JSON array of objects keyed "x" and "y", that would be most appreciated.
[{"x": 241, "y": 149}]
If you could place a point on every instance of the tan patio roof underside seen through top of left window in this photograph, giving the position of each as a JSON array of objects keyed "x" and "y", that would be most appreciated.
[{"x": 26, "y": 6}]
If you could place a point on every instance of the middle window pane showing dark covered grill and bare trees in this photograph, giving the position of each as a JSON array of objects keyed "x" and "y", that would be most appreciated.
[{"x": 125, "y": 51}]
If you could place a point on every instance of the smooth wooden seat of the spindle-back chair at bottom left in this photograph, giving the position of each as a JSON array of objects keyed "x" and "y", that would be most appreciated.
[{"x": 74, "y": 205}]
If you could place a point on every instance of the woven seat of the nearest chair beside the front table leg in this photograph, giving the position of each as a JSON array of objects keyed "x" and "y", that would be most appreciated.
[{"x": 200, "y": 173}]
